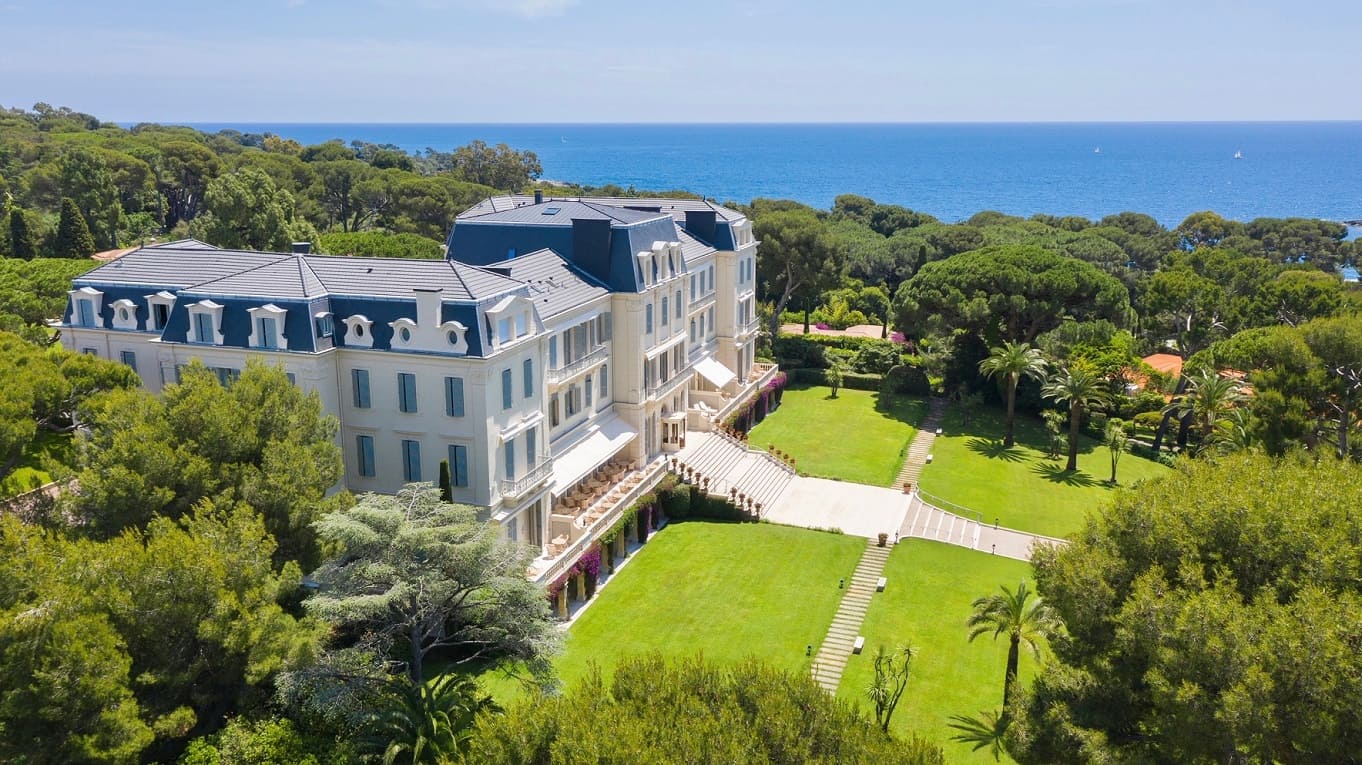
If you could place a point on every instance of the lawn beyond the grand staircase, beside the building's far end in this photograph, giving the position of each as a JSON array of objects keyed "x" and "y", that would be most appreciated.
[{"x": 853, "y": 438}]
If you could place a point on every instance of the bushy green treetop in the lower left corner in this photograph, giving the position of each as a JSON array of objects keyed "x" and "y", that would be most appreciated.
[{"x": 119, "y": 651}]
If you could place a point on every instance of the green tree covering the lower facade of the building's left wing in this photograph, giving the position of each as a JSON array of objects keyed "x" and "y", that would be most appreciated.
[{"x": 261, "y": 440}]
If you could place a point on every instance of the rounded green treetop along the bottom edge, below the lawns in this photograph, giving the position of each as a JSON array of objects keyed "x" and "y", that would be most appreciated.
[{"x": 654, "y": 713}]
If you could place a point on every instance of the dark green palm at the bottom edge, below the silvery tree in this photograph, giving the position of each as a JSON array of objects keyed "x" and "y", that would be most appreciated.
[{"x": 426, "y": 723}]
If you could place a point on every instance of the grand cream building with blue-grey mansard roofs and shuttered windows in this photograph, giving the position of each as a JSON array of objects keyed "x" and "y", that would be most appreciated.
[{"x": 554, "y": 360}]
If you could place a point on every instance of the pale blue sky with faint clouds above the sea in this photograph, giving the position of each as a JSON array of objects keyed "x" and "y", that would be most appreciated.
[{"x": 690, "y": 61}]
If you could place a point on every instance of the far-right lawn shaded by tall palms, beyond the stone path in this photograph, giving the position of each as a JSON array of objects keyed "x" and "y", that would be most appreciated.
[{"x": 1021, "y": 487}]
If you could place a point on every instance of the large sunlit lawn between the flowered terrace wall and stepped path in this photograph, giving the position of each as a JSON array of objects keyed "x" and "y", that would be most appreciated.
[{"x": 727, "y": 591}]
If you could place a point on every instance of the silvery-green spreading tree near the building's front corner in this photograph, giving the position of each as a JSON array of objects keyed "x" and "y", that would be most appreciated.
[{"x": 420, "y": 576}]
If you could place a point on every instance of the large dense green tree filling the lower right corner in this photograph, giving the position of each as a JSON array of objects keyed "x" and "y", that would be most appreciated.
[{"x": 1210, "y": 617}]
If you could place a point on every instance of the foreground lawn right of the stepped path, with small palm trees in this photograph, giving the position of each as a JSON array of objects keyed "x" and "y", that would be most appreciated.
[{"x": 931, "y": 587}]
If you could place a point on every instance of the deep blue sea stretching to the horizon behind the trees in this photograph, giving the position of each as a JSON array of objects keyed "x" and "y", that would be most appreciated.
[{"x": 951, "y": 171}]
